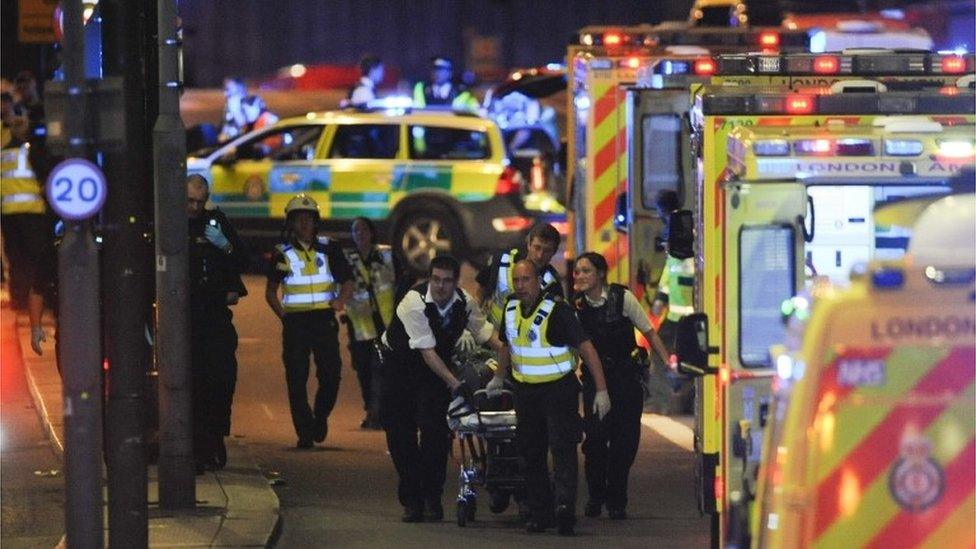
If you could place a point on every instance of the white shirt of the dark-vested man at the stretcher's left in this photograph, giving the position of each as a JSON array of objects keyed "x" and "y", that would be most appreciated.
[{"x": 411, "y": 312}]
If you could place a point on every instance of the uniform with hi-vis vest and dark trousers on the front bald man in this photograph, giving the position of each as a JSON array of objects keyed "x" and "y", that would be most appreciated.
[{"x": 541, "y": 338}]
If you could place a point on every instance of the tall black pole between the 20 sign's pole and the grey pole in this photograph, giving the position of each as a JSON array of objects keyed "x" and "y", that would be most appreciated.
[{"x": 127, "y": 264}]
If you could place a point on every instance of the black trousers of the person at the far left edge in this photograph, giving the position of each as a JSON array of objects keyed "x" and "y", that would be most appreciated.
[{"x": 27, "y": 241}]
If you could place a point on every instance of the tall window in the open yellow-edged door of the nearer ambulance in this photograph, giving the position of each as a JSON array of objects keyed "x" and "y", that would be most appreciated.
[{"x": 766, "y": 279}]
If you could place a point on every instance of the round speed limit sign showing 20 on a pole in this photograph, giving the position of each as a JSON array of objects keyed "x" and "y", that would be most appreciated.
[{"x": 76, "y": 189}]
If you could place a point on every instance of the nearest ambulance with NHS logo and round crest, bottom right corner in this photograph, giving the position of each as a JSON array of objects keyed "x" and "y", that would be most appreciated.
[{"x": 871, "y": 434}]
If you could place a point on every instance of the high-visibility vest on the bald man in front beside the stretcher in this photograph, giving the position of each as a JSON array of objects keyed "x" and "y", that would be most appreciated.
[{"x": 534, "y": 359}]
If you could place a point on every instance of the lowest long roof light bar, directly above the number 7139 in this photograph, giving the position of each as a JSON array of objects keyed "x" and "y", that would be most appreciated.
[{"x": 724, "y": 103}]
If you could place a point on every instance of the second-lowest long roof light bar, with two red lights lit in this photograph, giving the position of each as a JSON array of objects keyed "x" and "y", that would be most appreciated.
[{"x": 863, "y": 64}]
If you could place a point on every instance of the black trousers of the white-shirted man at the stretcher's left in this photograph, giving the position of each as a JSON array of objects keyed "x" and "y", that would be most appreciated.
[{"x": 413, "y": 398}]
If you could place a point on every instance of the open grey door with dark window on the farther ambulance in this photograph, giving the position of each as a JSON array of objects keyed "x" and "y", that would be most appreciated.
[{"x": 658, "y": 139}]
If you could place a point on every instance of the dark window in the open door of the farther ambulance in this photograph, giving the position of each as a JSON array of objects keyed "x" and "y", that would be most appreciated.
[{"x": 661, "y": 157}]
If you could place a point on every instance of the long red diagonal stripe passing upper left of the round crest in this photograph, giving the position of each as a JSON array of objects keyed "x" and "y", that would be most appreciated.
[{"x": 875, "y": 452}]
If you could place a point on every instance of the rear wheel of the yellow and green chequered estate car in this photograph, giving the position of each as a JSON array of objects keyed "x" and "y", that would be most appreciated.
[{"x": 421, "y": 235}]
